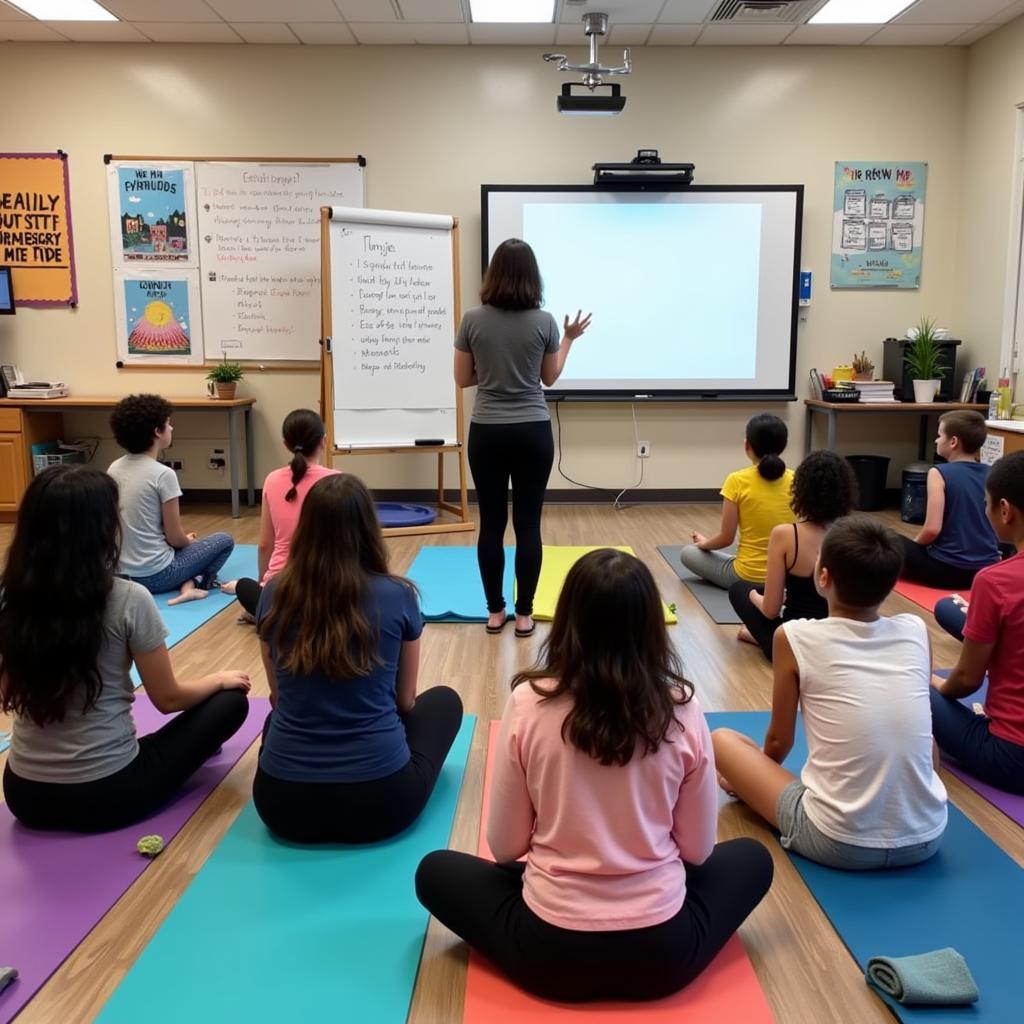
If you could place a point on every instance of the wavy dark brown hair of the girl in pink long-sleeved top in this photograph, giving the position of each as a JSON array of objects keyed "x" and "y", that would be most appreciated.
[{"x": 609, "y": 650}]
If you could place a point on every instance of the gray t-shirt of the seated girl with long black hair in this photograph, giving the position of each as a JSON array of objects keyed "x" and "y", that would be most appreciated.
[{"x": 93, "y": 745}]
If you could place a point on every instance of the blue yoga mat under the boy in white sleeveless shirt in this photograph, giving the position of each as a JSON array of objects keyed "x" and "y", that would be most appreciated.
[{"x": 969, "y": 897}]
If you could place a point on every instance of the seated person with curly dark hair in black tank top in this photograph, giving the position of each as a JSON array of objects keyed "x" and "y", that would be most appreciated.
[{"x": 824, "y": 490}]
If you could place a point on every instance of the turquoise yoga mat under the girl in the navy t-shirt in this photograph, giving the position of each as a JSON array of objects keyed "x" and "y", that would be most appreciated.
[{"x": 269, "y": 931}]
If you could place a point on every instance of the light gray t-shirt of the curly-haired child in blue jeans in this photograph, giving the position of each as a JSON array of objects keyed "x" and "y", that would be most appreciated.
[{"x": 145, "y": 486}]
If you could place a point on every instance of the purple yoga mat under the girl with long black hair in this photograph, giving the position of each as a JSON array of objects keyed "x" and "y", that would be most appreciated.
[{"x": 58, "y": 886}]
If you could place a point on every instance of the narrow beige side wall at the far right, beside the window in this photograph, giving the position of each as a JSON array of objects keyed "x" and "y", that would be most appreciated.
[{"x": 995, "y": 91}]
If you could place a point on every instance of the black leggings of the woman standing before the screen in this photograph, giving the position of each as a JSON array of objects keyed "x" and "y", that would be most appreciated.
[{"x": 523, "y": 453}]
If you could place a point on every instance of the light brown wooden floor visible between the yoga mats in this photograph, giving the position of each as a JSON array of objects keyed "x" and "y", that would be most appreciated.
[{"x": 808, "y": 976}]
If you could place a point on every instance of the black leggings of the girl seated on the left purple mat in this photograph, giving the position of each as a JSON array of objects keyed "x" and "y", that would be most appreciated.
[{"x": 166, "y": 760}]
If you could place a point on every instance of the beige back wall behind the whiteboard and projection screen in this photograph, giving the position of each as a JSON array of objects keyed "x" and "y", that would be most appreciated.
[{"x": 437, "y": 122}]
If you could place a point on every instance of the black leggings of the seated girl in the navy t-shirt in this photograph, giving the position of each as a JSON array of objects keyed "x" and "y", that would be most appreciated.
[{"x": 366, "y": 813}]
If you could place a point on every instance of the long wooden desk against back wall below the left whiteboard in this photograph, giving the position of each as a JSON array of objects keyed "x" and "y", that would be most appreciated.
[{"x": 32, "y": 418}]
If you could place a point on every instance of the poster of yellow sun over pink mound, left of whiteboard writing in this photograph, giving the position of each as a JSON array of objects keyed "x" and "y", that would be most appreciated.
[{"x": 158, "y": 315}]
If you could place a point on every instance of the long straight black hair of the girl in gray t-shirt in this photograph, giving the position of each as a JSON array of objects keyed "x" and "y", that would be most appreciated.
[{"x": 54, "y": 593}]
